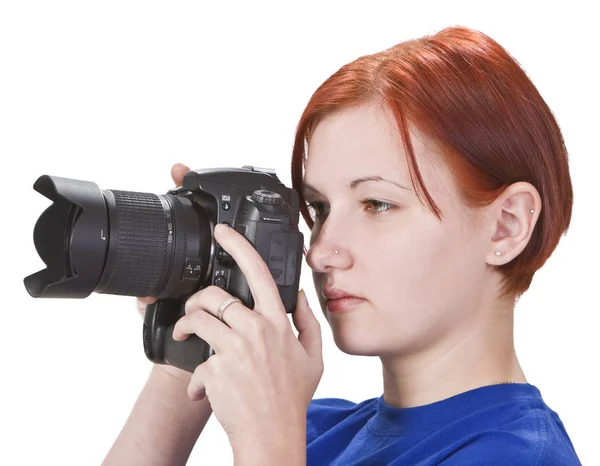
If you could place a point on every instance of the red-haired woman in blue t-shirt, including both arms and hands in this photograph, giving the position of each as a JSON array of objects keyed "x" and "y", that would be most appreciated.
[{"x": 435, "y": 182}]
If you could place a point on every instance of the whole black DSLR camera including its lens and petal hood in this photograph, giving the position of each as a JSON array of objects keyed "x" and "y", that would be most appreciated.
[{"x": 143, "y": 244}]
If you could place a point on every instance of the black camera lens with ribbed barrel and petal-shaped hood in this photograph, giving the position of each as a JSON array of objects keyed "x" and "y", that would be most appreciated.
[{"x": 117, "y": 242}]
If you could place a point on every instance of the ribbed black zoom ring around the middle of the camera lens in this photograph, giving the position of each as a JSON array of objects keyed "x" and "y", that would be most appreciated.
[{"x": 142, "y": 245}]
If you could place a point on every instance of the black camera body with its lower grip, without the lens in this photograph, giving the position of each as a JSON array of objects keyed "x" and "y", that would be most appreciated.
[{"x": 257, "y": 205}]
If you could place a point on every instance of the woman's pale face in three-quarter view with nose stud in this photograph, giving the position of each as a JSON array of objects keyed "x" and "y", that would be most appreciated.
[{"x": 421, "y": 278}]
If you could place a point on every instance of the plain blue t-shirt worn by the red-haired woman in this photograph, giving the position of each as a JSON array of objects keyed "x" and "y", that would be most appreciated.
[{"x": 495, "y": 425}]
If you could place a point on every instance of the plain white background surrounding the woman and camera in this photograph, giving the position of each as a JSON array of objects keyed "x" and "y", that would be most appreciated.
[{"x": 117, "y": 91}]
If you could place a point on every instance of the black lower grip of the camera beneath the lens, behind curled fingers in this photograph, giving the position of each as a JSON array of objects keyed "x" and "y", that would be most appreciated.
[{"x": 159, "y": 346}]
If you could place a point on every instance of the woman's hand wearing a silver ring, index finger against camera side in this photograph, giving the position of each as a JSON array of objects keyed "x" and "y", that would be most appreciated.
[{"x": 261, "y": 378}]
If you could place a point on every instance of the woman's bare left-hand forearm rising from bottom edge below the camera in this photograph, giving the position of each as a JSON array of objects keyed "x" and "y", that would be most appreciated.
[{"x": 163, "y": 426}]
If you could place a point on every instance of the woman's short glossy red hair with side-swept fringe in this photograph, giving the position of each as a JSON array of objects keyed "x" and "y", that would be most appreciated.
[{"x": 465, "y": 92}]
